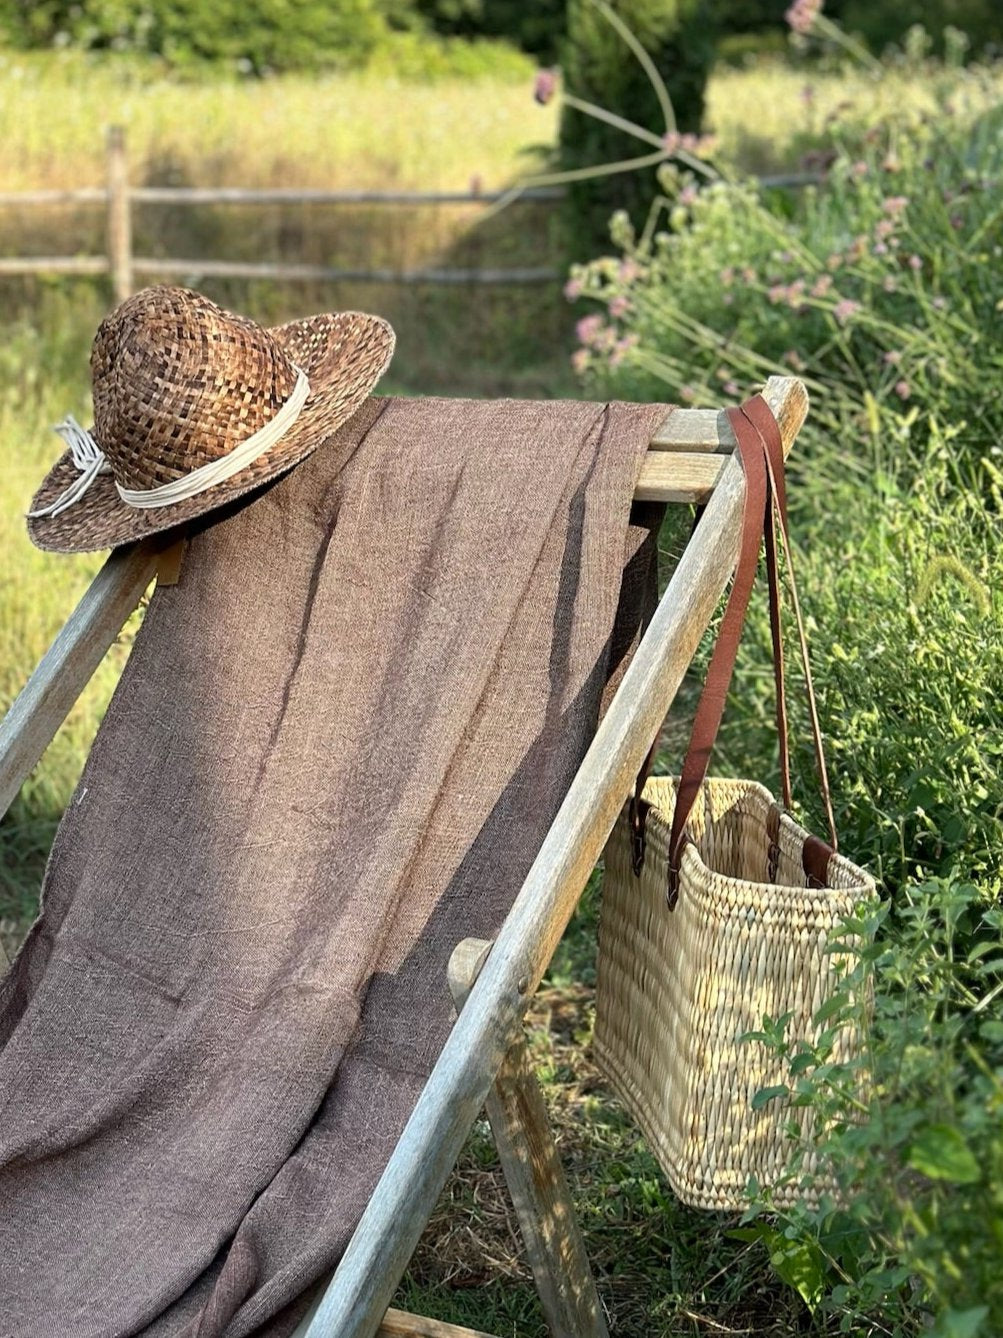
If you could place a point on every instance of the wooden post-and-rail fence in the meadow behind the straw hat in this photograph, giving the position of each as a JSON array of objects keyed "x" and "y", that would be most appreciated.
[{"x": 124, "y": 266}]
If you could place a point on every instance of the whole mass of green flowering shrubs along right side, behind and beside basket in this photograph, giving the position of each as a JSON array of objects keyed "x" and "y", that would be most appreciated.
[{"x": 881, "y": 290}]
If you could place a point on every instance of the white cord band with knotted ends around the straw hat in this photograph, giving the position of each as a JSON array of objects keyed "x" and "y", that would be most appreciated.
[{"x": 90, "y": 461}]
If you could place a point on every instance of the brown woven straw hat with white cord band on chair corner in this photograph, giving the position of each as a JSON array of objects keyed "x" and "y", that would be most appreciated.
[{"x": 193, "y": 407}]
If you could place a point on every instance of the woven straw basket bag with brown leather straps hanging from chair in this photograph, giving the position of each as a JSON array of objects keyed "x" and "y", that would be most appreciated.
[{"x": 717, "y": 911}]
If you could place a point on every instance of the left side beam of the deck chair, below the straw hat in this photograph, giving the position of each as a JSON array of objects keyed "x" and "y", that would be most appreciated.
[{"x": 66, "y": 668}]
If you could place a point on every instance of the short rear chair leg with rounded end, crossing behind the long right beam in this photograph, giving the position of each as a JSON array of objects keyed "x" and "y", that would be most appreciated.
[{"x": 536, "y": 1177}]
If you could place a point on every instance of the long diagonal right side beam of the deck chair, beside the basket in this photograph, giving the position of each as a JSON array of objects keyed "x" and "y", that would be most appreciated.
[{"x": 406, "y": 1196}]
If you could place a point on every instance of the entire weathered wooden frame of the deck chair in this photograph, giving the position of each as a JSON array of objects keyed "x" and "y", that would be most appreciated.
[{"x": 485, "y": 1060}]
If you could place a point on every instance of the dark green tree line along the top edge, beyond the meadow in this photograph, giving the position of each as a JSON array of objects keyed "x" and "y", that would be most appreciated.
[{"x": 264, "y": 35}]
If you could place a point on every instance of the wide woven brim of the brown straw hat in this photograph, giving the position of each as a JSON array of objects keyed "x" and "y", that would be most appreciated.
[{"x": 343, "y": 354}]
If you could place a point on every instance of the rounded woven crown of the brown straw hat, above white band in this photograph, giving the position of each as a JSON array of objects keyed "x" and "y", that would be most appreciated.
[{"x": 179, "y": 383}]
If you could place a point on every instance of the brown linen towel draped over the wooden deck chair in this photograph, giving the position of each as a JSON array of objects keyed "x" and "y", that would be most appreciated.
[{"x": 334, "y": 754}]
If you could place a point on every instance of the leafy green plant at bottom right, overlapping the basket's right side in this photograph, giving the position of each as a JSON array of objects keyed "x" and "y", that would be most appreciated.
[{"x": 913, "y": 1131}]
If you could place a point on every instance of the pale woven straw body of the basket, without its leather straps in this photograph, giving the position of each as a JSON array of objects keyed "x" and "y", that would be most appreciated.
[{"x": 676, "y": 989}]
